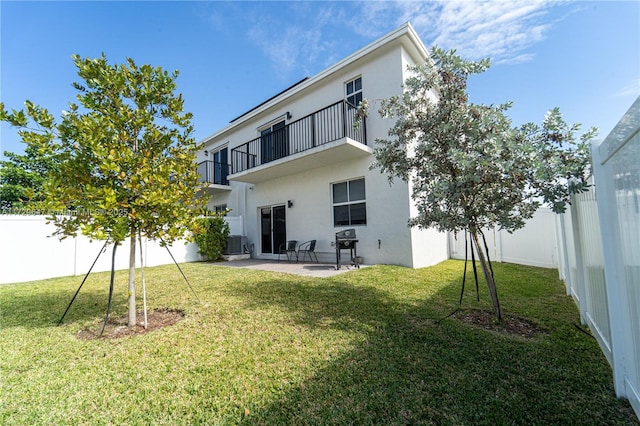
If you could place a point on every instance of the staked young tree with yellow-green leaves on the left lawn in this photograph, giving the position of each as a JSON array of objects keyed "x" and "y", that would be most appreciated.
[{"x": 125, "y": 157}]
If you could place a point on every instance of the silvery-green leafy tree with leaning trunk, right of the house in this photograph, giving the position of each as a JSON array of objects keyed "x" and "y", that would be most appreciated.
[{"x": 468, "y": 167}]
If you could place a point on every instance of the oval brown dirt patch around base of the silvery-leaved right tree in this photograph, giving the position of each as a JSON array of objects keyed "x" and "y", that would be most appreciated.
[{"x": 511, "y": 324}]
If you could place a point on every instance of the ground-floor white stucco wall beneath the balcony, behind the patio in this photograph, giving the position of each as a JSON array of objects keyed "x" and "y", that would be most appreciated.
[{"x": 311, "y": 216}]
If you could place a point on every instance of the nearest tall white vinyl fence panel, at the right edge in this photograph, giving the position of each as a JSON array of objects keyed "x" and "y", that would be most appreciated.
[{"x": 616, "y": 164}]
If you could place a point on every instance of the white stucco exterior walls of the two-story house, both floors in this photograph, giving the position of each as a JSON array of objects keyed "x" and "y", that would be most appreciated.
[{"x": 385, "y": 238}]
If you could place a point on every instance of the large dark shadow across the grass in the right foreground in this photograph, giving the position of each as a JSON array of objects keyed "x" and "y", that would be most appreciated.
[{"x": 409, "y": 370}]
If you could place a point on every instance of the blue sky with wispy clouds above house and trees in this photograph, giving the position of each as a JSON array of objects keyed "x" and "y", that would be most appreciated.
[{"x": 583, "y": 57}]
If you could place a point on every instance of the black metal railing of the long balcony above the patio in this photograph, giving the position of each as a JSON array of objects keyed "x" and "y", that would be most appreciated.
[{"x": 326, "y": 125}]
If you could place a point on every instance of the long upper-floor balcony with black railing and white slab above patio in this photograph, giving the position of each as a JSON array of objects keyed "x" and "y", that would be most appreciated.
[{"x": 319, "y": 139}]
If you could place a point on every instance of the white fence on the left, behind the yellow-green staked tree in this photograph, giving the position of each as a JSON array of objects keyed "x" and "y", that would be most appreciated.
[{"x": 28, "y": 253}]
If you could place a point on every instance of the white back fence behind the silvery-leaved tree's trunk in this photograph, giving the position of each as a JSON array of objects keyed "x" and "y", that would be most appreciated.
[{"x": 534, "y": 245}]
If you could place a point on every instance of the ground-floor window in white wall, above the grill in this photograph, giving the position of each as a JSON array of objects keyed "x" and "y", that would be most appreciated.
[{"x": 349, "y": 206}]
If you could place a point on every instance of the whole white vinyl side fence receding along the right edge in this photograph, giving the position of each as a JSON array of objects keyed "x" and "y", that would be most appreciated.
[{"x": 600, "y": 253}]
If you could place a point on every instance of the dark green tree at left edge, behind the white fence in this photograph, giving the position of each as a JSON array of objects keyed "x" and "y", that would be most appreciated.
[{"x": 22, "y": 177}]
